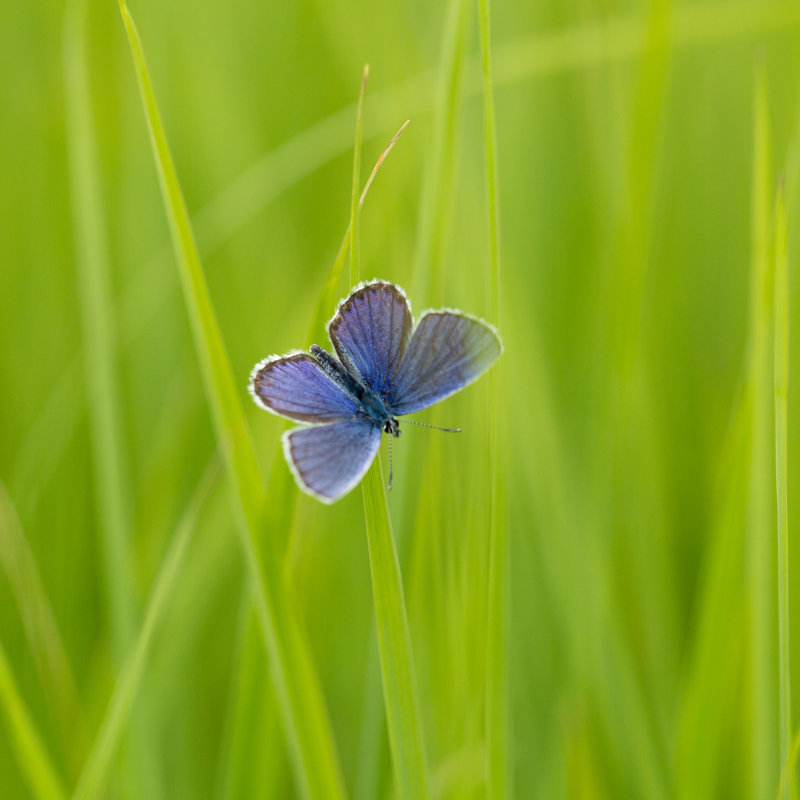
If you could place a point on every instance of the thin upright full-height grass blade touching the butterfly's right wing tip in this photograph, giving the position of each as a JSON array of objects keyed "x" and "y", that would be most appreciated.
[{"x": 497, "y": 726}]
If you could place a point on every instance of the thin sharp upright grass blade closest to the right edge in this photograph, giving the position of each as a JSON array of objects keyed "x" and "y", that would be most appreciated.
[{"x": 781, "y": 382}]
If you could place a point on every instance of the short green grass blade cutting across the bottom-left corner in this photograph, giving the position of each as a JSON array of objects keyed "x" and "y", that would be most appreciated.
[{"x": 28, "y": 747}]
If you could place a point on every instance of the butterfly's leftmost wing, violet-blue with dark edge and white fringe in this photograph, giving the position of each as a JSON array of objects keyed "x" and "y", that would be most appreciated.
[{"x": 295, "y": 386}]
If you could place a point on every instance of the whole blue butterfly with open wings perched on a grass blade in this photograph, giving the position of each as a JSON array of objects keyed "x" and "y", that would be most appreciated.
[{"x": 387, "y": 367}]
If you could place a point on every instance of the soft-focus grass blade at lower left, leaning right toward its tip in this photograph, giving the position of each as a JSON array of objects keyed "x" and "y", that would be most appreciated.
[{"x": 98, "y": 765}]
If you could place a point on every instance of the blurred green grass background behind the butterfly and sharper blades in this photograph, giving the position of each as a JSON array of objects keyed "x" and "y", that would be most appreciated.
[{"x": 637, "y": 179}]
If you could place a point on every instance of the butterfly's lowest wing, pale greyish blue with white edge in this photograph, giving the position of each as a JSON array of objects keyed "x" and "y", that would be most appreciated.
[{"x": 329, "y": 460}]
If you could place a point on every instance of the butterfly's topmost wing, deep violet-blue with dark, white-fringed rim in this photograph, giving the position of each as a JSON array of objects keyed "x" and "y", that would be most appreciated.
[{"x": 370, "y": 332}]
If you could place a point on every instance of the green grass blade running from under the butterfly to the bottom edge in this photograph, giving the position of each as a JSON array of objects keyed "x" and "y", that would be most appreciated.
[{"x": 394, "y": 642}]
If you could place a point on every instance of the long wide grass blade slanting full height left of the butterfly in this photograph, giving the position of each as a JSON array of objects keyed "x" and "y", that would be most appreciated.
[{"x": 306, "y": 725}]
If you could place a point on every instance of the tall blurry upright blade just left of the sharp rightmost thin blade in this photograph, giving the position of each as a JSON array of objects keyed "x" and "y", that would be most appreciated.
[{"x": 760, "y": 515}]
